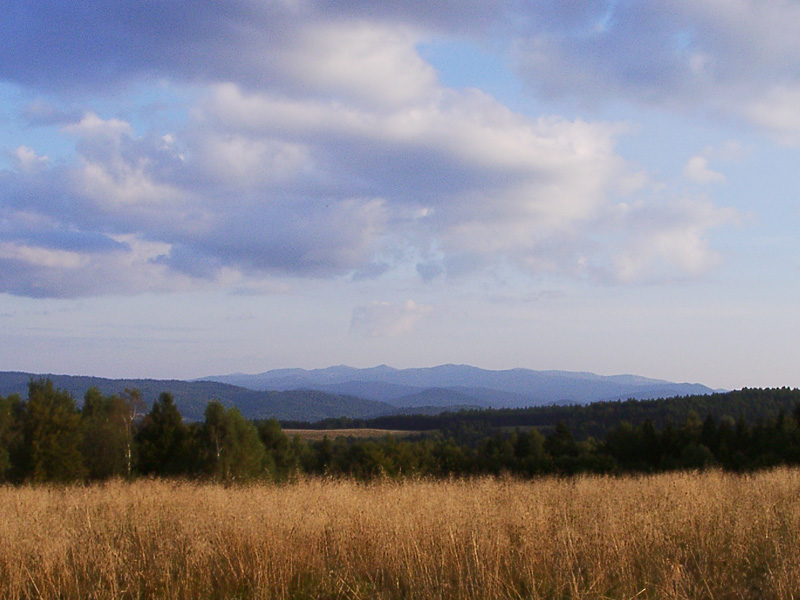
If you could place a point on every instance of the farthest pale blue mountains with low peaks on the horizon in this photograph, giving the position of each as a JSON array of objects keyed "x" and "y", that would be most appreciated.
[{"x": 452, "y": 385}]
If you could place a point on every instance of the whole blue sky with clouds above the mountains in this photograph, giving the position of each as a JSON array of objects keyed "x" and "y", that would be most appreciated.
[{"x": 202, "y": 188}]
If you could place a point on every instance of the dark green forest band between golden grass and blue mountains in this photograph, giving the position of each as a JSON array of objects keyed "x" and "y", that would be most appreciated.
[{"x": 46, "y": 437}]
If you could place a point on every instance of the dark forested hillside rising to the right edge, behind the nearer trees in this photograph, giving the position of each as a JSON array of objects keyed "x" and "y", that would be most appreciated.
[{"x": 596, "y": 419}]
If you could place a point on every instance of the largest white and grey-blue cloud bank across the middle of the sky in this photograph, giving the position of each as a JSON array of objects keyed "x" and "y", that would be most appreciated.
[{"x": 260, "y": 186}]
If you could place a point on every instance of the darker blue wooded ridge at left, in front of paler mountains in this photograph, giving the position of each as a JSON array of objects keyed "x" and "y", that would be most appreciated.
[{"x": 192, "y": 397}]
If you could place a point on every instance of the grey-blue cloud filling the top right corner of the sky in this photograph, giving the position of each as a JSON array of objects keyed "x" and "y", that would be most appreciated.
[{"x": 712, "y": 54}]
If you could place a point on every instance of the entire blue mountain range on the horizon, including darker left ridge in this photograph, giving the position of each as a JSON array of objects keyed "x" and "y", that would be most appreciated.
[{"x": 310, "y": 395}]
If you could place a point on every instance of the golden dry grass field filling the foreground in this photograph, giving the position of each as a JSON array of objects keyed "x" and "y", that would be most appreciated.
[{"x": 709, "y": 535}]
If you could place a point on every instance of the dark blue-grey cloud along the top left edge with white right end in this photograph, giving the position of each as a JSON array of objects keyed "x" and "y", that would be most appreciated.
[{"x": 298, "y": 46}]
